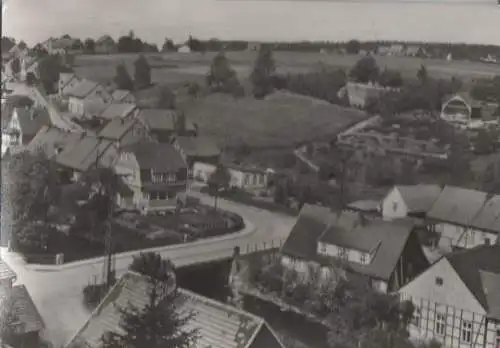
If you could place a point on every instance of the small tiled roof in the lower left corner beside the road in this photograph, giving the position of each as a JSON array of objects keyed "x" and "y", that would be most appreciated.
[{"x": 24, "y": 309}]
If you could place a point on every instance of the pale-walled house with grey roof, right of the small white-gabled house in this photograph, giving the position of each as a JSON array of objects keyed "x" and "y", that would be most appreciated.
[{"x": 453, "y": 215}]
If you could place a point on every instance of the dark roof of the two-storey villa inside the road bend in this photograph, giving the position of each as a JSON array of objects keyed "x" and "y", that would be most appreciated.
[{"x": 161, "y": 157}]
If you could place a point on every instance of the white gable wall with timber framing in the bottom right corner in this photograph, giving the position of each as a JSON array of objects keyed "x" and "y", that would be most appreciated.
[{"x": 452, "y": 300}]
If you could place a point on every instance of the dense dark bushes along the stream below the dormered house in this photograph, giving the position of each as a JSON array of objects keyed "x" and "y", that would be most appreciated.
[{"x": 355, "y": 314}]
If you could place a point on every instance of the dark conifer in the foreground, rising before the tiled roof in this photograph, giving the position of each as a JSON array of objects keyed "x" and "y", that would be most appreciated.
[{"x": 159, "y": 324}]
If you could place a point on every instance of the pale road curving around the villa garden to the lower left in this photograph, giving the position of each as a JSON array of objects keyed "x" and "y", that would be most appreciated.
[{"x": 57, "y": 294}]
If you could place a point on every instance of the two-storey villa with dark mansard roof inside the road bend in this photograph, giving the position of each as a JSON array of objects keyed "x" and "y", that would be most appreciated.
[{"x": 155, "y": 173}]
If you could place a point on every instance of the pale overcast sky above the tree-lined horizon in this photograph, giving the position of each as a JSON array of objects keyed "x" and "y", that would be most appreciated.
[{"x": 470, "y": 21}]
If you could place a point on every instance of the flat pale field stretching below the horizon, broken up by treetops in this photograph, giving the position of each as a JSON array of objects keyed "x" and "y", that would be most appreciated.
[{"x": 176, "y": 69}]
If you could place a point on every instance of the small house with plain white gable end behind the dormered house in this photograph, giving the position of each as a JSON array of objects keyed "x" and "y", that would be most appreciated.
[{"x": 409, "y": 201}]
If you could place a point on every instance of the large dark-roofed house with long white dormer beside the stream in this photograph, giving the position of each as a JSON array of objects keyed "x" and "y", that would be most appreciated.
[{"x": 388, "y": 254}]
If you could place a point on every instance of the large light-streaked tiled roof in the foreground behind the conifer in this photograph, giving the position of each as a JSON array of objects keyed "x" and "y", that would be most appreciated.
[{"x": 219, "y": 325}]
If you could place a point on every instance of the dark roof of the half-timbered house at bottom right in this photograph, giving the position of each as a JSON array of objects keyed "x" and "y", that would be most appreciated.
[{"x": 479, "y": 269}]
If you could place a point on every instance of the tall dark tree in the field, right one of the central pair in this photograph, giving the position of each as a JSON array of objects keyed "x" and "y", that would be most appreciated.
[{"x": 263, "y": 71}]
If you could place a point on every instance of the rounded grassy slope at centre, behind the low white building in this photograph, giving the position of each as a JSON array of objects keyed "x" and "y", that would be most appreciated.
[{"x": 282, "y": 120}]
